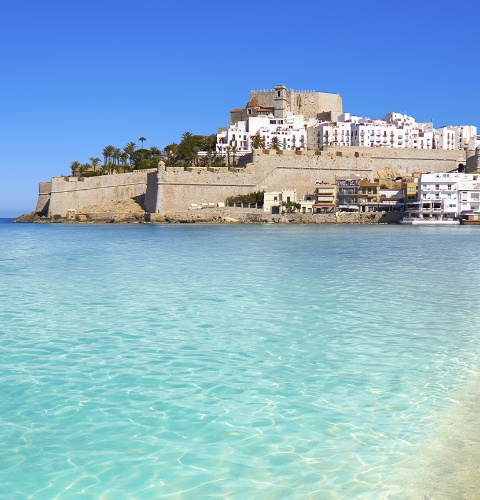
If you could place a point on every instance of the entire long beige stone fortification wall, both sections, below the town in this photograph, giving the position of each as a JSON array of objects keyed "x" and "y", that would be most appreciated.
[{"x": 170, "y": 190}]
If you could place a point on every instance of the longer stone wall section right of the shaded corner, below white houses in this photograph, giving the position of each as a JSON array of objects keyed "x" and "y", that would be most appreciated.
[{"x": 269, "y": 171}]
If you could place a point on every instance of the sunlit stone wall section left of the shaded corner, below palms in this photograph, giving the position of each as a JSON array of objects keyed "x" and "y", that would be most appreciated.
[{"x": 79, "y": 192}]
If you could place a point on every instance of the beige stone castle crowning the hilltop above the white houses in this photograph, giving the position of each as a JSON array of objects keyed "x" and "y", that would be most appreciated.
[{"x": 281, "y": 101}]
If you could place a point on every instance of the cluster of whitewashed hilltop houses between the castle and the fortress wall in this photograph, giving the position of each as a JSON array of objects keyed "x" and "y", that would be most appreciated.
[{"x": 291, "y": 132}]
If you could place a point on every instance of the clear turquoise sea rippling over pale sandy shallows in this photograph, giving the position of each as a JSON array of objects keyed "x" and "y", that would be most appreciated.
[{"x": 239, "y": 361}]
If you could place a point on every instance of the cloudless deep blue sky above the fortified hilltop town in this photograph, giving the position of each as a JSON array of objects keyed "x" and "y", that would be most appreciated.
[{"x": 80, "y": 75}]
